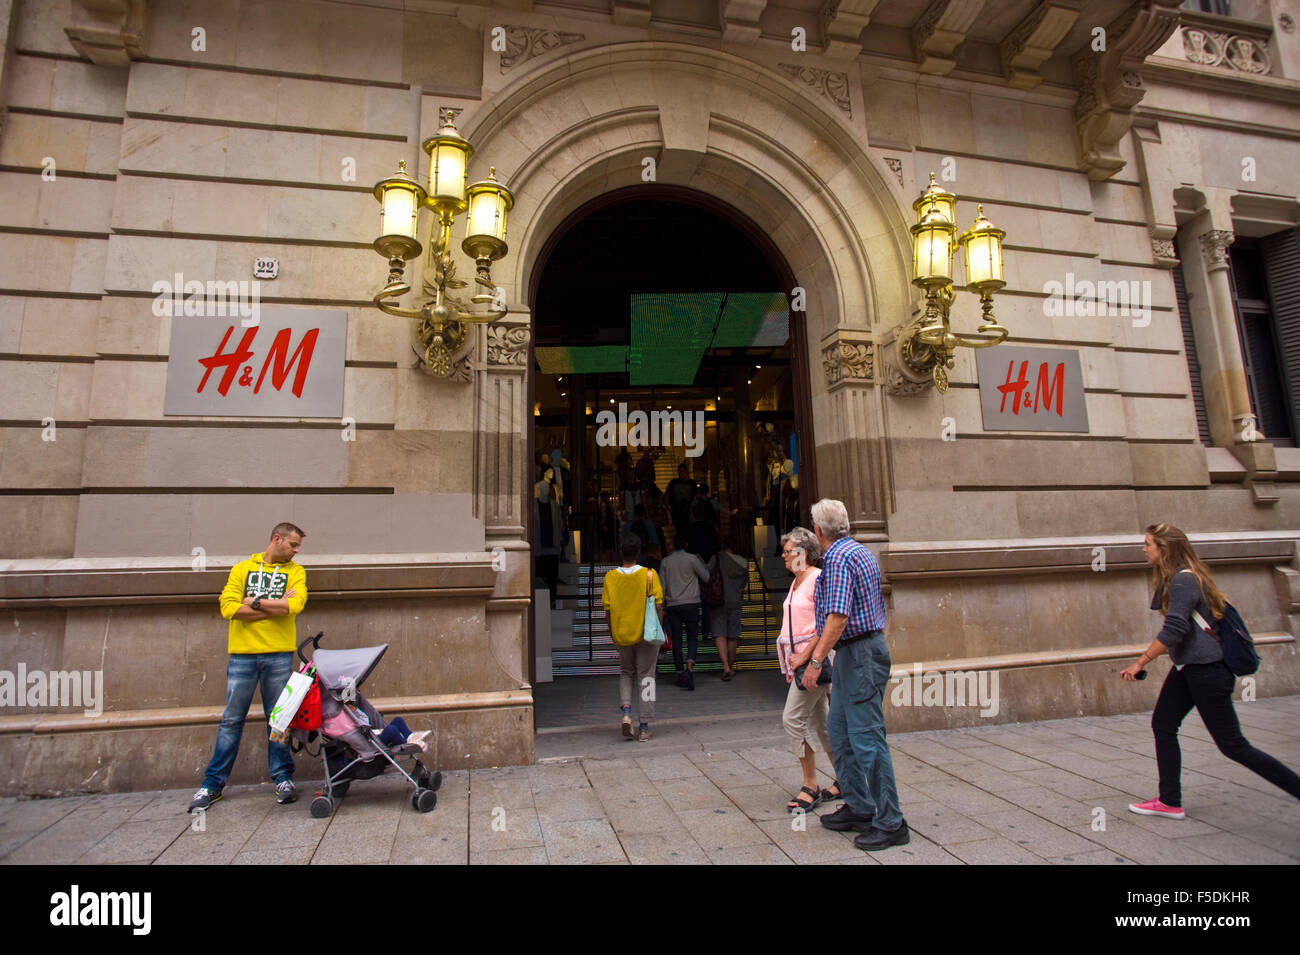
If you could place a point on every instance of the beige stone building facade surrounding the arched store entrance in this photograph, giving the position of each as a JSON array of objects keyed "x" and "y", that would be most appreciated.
[{"x": 148, "y": 140}]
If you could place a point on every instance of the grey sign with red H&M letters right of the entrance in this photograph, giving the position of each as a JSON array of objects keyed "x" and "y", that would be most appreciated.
[{"x": 1032, "y": 389}]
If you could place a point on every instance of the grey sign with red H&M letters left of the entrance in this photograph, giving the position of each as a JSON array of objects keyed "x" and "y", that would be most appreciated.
[{"x": 289, "y": 364}]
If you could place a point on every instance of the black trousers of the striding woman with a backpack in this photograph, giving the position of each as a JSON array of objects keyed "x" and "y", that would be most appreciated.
[{"x": 1208, "y": 687}]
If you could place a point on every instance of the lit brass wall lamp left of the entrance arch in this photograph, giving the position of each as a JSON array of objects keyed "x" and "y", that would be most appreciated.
[{"x": 444, "y": 322}]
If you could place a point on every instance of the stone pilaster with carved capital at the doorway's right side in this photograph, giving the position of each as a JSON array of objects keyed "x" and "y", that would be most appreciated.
[{"x": 852, "y": 463}]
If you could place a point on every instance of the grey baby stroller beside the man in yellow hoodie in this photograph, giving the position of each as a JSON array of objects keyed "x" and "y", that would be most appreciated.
[{"x": 350, "y": 744}]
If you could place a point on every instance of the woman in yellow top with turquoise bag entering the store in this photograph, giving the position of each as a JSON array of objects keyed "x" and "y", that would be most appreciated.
[{"x": 625, "y": 600}]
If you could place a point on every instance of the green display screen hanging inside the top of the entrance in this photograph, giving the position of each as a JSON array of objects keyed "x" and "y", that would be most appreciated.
[{"x": 671, "y": 332}]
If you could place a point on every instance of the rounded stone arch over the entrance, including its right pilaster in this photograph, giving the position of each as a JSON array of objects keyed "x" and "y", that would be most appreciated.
[{"x": 582, "y": 125}]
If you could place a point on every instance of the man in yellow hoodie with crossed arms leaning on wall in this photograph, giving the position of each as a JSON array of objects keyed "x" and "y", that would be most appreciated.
[{"x": 262, "y": 598}]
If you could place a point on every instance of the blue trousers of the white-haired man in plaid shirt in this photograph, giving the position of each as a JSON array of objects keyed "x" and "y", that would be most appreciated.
[{"x": 857, "y": 728}]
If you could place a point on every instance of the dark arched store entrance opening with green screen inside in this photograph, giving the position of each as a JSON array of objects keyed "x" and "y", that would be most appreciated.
[{"x": 622, "y": 331}]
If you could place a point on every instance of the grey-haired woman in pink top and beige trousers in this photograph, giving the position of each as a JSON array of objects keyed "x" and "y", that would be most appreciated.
[{"x": 805, "y": 710}]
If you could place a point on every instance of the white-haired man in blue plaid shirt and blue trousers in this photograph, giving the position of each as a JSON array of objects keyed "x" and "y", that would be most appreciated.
[{"x": 851, "y": 619}]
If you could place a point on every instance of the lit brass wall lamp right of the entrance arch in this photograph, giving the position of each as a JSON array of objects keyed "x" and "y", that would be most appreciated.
[{"x": 929, "y": 345}]
